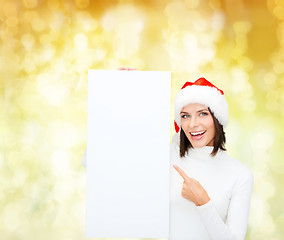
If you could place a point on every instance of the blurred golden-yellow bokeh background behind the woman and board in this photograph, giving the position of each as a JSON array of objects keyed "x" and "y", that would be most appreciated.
[{"x": 47, "y": 47}]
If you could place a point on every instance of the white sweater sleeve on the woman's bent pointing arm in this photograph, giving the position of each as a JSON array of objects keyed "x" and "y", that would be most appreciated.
[{"x": 235, "y": 226}]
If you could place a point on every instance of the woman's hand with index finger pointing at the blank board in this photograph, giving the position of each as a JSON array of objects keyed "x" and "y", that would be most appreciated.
[{"x": 192, "y": 189}]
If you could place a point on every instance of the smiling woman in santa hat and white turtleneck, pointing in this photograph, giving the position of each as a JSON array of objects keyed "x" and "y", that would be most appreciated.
[{"x": 210, "y": 191}]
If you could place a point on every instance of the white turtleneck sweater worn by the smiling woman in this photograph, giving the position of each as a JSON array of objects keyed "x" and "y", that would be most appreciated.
[{"x": 229, "y": 185}]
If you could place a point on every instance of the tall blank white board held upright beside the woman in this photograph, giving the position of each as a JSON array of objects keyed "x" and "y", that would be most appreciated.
[{"x": 128, "y": 154}]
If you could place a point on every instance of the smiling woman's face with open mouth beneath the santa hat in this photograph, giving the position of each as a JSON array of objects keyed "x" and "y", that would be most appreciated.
[{"x": 198, "y": 125}]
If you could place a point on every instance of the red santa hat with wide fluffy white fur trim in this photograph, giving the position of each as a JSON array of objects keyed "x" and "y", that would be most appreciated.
[{"x": 203, "y": 92}]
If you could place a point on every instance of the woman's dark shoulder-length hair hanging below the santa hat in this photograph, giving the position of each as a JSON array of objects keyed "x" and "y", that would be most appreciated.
[{"x": 219, "y": 139}]
